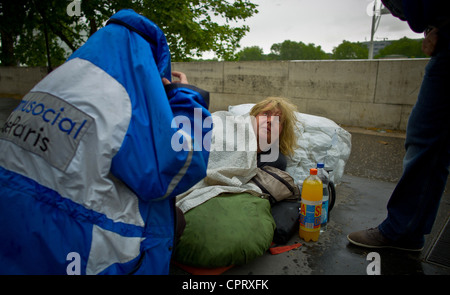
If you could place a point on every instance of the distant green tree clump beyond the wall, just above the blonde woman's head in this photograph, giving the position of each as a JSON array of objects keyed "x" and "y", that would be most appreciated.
[{"x": 291, "y": 50}]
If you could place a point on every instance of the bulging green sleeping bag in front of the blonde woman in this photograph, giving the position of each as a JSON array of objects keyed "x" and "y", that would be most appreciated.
[{"x": 230, "y": 229}]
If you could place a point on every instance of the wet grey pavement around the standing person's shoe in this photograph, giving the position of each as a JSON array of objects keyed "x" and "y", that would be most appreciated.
[{"x": 361, "y": 203}]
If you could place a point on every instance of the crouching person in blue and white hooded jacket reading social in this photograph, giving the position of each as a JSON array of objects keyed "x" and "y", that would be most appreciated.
[{"x": 88, "y": 174}]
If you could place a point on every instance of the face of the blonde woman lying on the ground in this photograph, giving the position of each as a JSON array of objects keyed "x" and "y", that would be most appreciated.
[{"x": 268, "y": 128}]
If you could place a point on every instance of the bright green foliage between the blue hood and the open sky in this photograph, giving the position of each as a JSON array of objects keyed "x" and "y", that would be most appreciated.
[{"x": 191, "y": 30}]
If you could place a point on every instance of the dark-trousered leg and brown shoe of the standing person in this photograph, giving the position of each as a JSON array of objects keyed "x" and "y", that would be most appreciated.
[{"x": 413, "y": 205}]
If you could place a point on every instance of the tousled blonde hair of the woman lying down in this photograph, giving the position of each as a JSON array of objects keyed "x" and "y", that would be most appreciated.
[{"x": 288, "y": 119}]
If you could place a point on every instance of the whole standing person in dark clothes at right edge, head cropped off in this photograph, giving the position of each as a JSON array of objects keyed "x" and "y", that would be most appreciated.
[{"x": 413, "y": 205}]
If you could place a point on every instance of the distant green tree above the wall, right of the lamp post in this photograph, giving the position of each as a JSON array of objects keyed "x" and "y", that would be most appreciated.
[{"x": 405, "y": 46}]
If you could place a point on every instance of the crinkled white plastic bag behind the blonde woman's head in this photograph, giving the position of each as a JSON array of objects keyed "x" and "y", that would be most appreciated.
[{"x": 320, "y": 140}]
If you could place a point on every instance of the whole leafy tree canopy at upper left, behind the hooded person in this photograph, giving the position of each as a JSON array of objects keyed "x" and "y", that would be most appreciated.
[{"x": 39, "y": 33}]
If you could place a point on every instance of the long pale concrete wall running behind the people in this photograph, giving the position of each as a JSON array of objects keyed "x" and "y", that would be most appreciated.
[{"x": 363, "y": 93}]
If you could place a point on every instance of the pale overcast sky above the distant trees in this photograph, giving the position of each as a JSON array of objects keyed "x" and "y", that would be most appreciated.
[{"x": 322, "y": 22}]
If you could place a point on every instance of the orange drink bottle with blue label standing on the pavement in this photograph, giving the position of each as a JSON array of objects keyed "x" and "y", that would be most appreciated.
[{"x": 311, "y": 207}]
